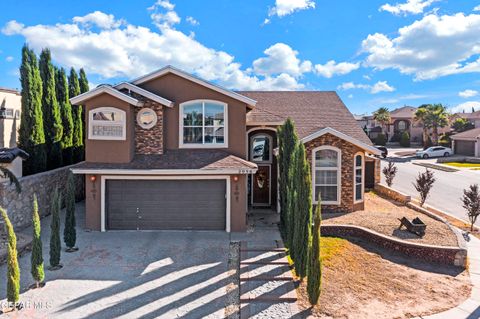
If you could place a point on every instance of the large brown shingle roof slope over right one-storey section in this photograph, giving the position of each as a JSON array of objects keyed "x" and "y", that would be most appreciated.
[{"x": 310, "y": 110}]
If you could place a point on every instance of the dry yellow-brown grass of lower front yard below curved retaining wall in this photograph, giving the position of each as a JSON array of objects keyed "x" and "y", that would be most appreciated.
[{"x": 363, "y": 282}]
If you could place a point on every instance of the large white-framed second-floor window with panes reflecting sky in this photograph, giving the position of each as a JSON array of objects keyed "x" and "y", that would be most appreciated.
[{"x": 203, "y": 124}]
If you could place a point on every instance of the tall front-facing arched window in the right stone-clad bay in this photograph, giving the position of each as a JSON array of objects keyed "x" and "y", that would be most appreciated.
[{"x": 327, "y": 174}]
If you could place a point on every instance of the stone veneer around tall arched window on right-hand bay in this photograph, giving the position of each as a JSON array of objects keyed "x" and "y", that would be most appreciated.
[{"x": 348, "y": 152}]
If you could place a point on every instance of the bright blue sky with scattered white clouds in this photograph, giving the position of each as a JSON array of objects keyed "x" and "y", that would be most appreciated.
[{"x": 375, "y": 53}]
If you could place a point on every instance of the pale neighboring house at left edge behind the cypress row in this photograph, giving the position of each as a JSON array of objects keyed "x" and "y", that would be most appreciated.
[{"x": 10, "y": 107}]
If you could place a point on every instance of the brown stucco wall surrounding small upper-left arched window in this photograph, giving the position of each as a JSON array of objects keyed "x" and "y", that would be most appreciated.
[{"x": 110, "y": 151}]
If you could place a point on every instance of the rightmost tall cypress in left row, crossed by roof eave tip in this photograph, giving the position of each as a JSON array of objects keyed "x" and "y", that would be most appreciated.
[{"x": 77, "y": 138}]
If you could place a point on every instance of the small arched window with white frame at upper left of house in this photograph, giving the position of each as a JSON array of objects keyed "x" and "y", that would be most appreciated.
[{"x": 107, "y": 123}]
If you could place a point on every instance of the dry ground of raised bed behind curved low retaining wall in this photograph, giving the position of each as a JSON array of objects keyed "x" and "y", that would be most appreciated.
[{"x": 381, "y": 215}]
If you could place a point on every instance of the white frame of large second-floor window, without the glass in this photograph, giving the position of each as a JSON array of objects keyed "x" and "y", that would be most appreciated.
[{"x": 203, "y": 145}]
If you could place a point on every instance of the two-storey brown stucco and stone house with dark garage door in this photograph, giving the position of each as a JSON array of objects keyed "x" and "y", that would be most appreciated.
[{"x": 171, "y": 151}]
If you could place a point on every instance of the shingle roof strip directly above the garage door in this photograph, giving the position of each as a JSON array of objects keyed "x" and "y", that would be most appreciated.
[{"x": 176, "y": 159}]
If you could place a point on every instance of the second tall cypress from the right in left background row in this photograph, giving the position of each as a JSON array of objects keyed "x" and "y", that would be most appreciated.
[{"x": 62, "y": 89}]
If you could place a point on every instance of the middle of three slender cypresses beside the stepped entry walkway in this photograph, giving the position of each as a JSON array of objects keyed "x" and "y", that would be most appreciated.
[{"x": 302, "y": 210}]
